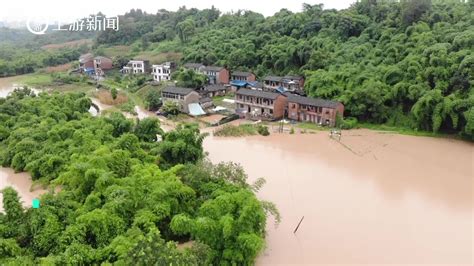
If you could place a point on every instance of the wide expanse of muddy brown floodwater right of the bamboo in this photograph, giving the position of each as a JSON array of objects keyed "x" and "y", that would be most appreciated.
[{"x": 374, "y": 198}]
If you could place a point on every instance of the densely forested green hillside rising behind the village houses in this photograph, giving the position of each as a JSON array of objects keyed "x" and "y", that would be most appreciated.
[{"x": 407, "y": 63}]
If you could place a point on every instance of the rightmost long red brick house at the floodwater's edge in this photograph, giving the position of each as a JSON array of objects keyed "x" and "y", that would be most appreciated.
[{"x": 318, "y": 111}]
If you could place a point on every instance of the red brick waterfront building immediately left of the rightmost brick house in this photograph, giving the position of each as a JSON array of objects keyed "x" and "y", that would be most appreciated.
[{"x": 256, "y": 105}]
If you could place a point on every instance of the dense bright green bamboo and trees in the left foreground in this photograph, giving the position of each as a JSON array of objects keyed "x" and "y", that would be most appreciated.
[{"x": 124, "y": 197}]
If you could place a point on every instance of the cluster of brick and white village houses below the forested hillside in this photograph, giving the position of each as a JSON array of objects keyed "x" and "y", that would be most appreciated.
[{"x": 272, "y": 98}]
